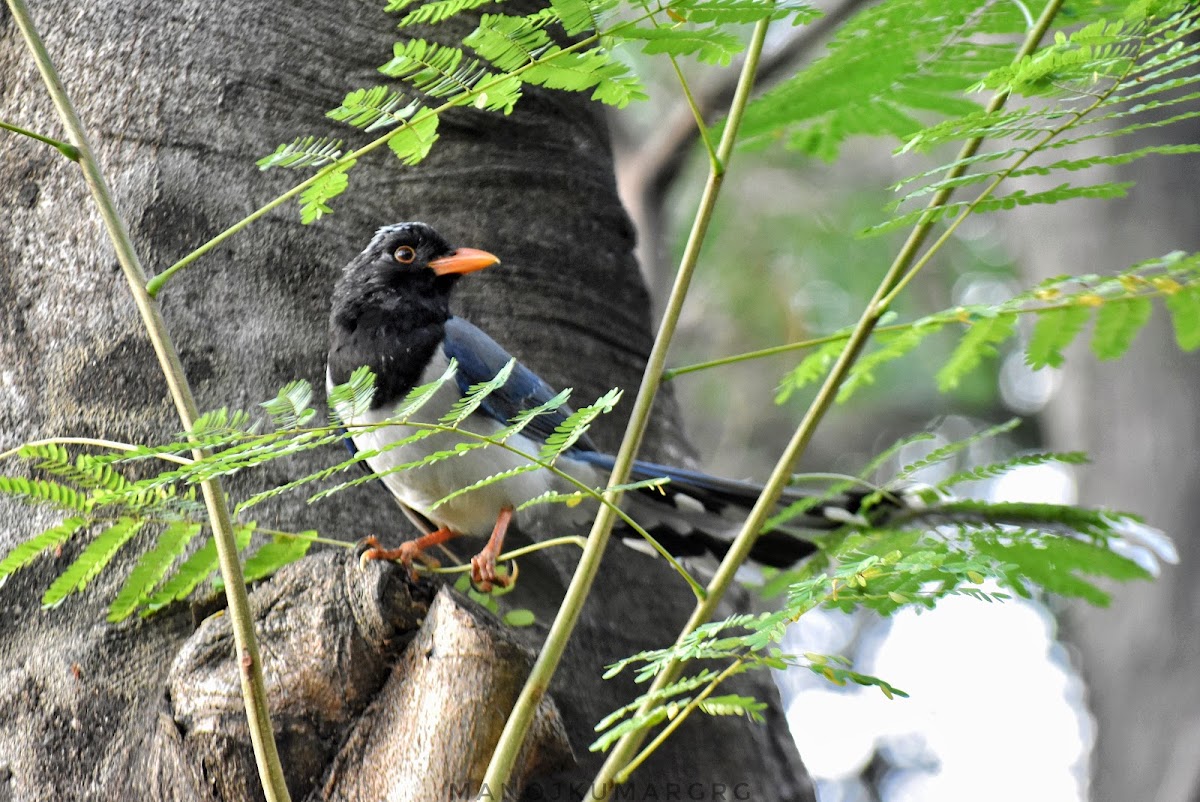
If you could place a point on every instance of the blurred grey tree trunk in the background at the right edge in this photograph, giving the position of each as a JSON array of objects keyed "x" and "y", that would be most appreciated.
[{"x": 1138, "y": 421}]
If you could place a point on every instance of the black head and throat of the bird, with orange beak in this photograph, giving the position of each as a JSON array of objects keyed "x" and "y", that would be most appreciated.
[{"x": 392, "y": 303}]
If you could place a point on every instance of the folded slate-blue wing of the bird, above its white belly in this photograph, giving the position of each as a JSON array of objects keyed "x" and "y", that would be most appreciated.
[{"x": 481, "y": 360}]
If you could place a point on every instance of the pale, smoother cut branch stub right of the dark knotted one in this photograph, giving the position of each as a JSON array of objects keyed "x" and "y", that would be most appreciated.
[{"x": 431, "y": 732}]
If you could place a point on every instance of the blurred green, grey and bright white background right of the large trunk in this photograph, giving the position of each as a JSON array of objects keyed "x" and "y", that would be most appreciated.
[{"x": 1035, "y": 701}]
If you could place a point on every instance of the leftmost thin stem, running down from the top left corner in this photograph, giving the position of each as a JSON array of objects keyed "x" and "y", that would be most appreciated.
[{"x": 249, "y": 661}]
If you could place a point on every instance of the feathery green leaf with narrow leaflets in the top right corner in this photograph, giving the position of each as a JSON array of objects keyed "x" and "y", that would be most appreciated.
[{"x": 1089, "y": 86}]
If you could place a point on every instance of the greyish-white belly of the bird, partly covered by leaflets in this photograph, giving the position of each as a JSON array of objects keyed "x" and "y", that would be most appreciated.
[{"x": 473, "y": 512}]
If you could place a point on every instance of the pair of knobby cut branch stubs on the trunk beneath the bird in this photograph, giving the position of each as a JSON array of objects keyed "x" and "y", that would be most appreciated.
[{"x": 376, "y": 693}]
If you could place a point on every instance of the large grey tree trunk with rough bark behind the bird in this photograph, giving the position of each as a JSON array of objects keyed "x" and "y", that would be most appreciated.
[{"x": 181, "y": 99}]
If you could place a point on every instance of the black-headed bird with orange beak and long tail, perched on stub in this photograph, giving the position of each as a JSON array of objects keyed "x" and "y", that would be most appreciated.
[{"x": 392, "y": 314}]
